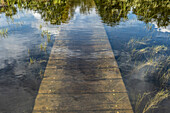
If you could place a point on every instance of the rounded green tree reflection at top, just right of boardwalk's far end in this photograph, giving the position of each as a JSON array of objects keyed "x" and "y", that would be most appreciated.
[{"x": 113, "y": 11}]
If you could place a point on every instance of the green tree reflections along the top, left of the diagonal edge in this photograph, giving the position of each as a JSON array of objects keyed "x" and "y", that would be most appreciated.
[{"x": 53, "y": 11}]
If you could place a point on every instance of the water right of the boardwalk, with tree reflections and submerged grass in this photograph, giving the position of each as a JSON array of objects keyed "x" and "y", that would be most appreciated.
[{"x": 140, "y": 40}]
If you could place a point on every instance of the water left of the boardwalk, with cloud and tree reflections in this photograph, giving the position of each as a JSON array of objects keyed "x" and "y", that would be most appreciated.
[{"x": 32, "y": 26}]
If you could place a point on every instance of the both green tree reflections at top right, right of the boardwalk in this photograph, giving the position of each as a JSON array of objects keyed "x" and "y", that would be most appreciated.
[{"x": 114, "y": 11}]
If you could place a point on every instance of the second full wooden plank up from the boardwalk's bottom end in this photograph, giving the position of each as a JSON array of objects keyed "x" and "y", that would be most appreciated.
[{"x": 97, "y": 86}]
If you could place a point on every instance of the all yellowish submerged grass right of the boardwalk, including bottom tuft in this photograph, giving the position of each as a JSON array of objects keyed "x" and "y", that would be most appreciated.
[{"x": 154, "y": 61}]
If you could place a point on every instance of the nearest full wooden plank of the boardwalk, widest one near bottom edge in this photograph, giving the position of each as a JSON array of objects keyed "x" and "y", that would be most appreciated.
[{"x": 98, "y": 101}]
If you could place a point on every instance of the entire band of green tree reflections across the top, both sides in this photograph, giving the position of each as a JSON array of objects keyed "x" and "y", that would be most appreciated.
[{"x": 112, "y": 12}]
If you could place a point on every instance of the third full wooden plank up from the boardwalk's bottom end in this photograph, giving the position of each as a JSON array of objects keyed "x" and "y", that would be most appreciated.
[{"x": 84, "y": 74}]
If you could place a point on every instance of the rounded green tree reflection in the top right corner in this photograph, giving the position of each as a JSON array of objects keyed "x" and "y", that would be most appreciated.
[{"x": 153, "y": 11}]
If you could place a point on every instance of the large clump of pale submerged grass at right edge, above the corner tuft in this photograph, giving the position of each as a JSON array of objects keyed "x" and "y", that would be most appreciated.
[{"x": 153, "y": 61}]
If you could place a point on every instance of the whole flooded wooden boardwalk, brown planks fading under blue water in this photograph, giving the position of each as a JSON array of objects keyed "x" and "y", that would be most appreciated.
[{"x": 82, "y": 75}]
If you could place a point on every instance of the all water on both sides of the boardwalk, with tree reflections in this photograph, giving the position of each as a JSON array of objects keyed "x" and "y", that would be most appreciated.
[{"x": 138, "y": 31}]
